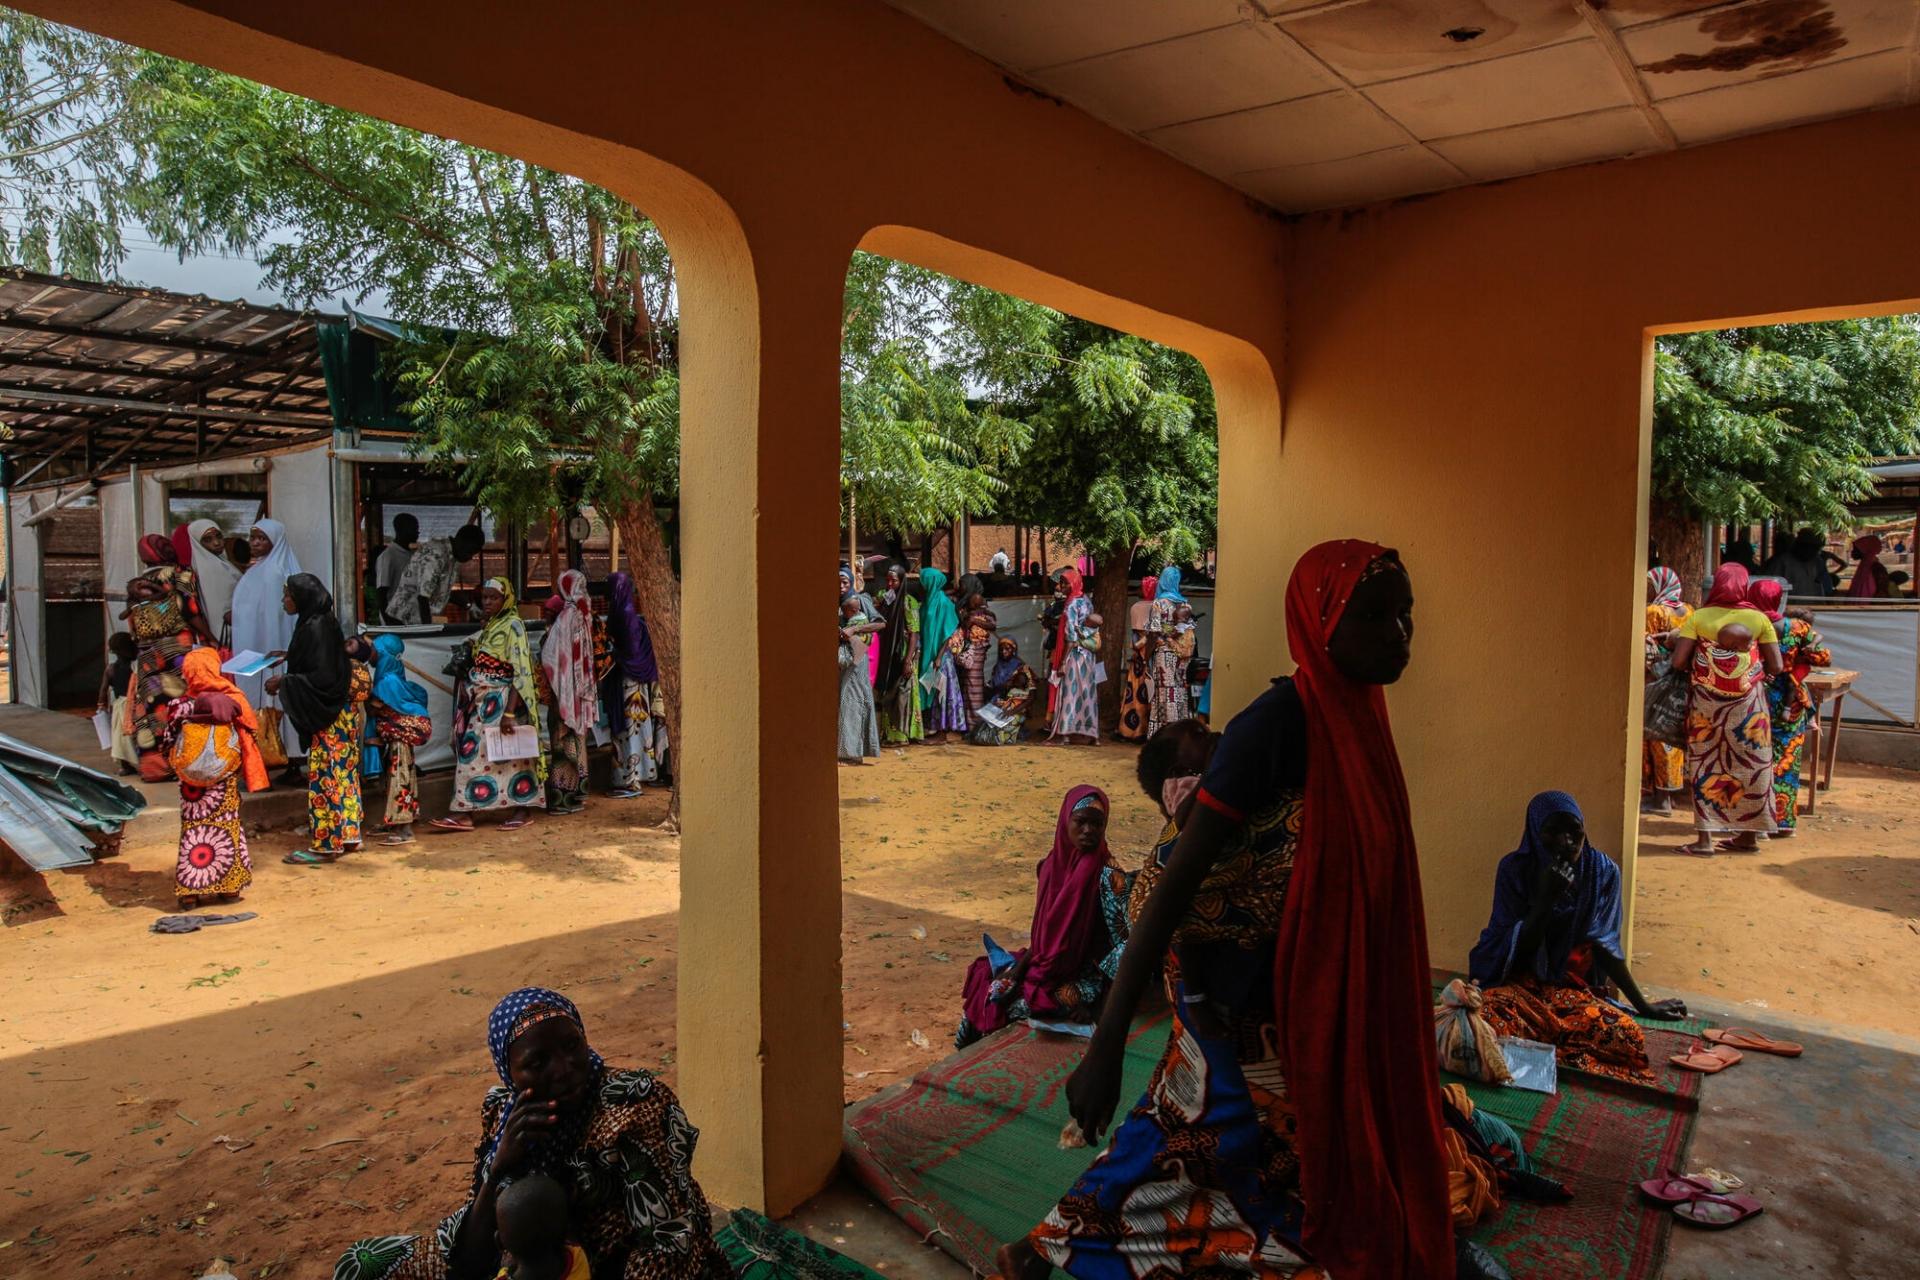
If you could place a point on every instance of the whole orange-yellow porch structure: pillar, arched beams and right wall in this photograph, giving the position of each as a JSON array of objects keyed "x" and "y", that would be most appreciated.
[{"x": 1466, "y": 379}]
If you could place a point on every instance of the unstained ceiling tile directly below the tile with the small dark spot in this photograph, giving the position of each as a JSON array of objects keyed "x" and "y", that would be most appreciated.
[{"x": 1566, "y": 80}]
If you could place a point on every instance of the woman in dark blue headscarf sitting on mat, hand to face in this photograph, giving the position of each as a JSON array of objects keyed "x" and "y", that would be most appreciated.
[{"x": 1552, "y": 949}]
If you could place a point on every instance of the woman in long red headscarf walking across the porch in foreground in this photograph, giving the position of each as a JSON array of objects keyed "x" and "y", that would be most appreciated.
[{"x": 1295, "y": 1124}]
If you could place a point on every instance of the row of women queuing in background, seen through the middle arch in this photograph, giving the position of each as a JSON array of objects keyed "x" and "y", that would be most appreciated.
[{"x": 924, "y": 663}]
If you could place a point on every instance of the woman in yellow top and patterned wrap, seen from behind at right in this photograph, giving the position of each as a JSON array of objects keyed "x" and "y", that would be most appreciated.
[{"x": 1729, "y": 650}]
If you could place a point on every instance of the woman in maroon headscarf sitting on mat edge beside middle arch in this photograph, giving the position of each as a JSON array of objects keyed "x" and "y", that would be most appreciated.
[{"x": 1080, "y": 928}]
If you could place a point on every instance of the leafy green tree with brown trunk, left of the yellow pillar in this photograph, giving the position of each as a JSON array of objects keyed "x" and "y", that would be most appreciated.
[{"x": 539, "y": 308}]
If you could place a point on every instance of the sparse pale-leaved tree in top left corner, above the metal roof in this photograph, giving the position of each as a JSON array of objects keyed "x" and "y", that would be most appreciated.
[{"x": 66, "y": 166}]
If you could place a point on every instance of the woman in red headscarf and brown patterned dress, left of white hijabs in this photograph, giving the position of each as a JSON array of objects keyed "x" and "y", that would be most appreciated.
[{"x": 166, "y": 621}]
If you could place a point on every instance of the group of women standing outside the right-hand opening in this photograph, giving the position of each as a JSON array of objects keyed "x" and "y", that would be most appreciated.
[{"x": 1744, "y": 659}]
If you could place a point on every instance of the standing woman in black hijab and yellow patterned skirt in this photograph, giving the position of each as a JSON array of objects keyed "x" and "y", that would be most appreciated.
[{"x": 322, "y": 699}]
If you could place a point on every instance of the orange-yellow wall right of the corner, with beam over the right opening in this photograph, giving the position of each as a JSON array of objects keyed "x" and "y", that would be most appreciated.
[{"x": 1470, "y": 379}]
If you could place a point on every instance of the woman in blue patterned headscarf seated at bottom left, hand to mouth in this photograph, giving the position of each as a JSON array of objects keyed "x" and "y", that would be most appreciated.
[{"x": 615, "y": 1141}]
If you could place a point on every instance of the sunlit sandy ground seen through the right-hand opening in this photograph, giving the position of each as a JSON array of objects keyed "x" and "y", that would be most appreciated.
[{"x": 1825, "y": 924}]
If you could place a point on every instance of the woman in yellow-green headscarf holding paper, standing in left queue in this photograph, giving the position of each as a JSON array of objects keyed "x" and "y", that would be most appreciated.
[{"x": 498, "y": 757}]
